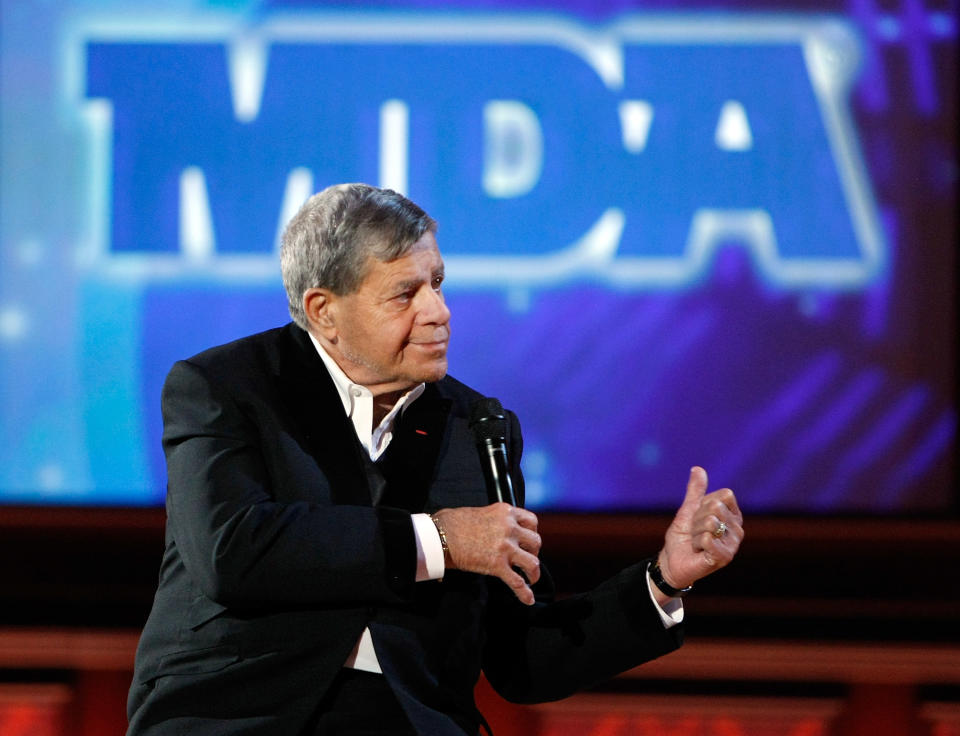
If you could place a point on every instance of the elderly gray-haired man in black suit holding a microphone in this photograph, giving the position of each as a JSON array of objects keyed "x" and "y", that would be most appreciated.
[{"x": 333, "y": 564}]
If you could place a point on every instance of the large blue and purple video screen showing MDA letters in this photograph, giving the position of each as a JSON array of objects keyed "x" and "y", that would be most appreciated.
[{"x": 676, "y": 233}]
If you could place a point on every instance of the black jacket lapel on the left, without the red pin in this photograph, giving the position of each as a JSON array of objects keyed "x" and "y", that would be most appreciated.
[{"x": 311, "y": 397}]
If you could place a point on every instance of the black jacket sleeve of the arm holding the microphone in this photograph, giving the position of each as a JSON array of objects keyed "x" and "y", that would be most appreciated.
[{"x": 243, "y": 546}]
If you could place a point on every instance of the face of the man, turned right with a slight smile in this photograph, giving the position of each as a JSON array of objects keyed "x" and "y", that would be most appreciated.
[{"x": 392, "y": 332}]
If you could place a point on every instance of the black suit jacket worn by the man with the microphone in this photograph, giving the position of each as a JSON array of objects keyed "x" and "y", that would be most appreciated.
[{"x": 275, "y": 561}]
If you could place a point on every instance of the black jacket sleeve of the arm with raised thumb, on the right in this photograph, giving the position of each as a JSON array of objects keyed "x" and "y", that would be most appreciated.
[{"x": 554, "y": 648}]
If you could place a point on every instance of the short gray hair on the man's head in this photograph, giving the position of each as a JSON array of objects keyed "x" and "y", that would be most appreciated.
[{"x": 327, "y": 243}]
